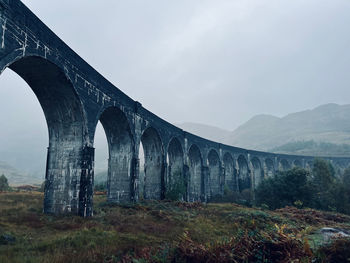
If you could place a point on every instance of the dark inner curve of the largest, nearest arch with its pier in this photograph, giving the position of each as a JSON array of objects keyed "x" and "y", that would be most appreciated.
[{"x": 68, "y": 184}]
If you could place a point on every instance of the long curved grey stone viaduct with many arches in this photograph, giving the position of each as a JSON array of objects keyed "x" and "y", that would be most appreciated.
[{"x": 74, "y": 97}]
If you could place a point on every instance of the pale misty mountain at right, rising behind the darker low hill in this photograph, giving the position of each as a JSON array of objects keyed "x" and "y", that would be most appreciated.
[{"x": 327, "y": 123}]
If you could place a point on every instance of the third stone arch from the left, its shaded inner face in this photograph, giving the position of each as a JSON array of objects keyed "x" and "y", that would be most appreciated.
[{"x": 153, "y": 181}]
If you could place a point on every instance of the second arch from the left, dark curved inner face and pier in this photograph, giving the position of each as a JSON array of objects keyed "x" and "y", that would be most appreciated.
[{"x": 120, "y": 151}]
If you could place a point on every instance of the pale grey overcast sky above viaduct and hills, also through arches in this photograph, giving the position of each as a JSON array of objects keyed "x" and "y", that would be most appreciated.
[{"x": 212, "y": 62}]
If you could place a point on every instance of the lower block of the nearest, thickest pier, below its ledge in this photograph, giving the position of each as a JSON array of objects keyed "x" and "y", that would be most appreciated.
[{"x": 69, "y": 180}]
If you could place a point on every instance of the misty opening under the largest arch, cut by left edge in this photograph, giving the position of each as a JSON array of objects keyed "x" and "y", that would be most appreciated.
[{"x": 24, "y": 134}]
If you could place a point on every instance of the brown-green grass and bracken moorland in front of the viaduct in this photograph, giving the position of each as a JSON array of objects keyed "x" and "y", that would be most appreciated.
[{"x": 166, "y": 232}]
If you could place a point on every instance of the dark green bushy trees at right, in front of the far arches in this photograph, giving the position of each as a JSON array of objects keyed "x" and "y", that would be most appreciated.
[{"x": 320, "y": 189}]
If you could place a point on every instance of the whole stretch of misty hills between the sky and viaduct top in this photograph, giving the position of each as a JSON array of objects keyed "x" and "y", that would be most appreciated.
[{"x": 327, "y": 125}]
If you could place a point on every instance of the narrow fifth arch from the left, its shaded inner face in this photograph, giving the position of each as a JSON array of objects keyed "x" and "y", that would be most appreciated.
[{"x": 196, "y": 180}]
